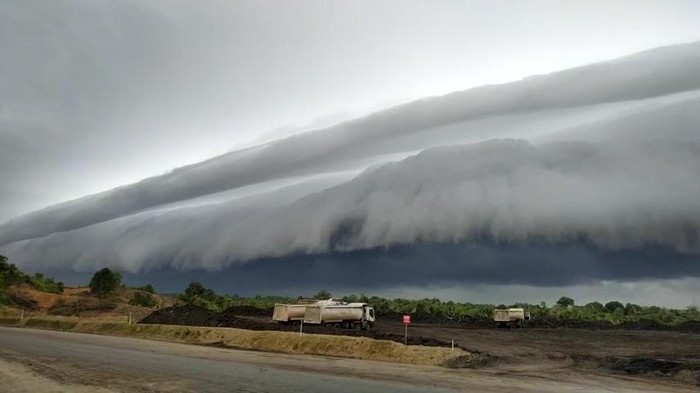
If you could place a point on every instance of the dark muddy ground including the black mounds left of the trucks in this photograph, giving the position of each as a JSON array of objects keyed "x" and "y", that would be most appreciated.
[{"x": 651, "y": 353}]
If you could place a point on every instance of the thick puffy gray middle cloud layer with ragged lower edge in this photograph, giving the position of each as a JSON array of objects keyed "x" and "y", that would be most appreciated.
[{"x": 613, "y": 196}]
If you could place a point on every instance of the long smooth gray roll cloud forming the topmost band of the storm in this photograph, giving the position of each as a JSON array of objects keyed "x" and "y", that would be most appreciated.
[{"x": 654, "y": 73}]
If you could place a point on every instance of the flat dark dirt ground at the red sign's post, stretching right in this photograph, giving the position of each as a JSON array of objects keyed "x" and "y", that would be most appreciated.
[{"x": 655, "y": 355}]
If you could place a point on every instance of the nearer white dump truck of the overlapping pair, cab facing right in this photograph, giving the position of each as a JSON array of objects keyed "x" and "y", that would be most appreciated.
[{"x": 345, "y": 315}]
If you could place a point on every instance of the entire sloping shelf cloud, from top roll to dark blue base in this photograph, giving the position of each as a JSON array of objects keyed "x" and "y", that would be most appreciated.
[{"x": 598, "y": 183}]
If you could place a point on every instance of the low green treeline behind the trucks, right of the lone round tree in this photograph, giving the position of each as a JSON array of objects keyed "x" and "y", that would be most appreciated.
[{"x": 436, "y": 310}]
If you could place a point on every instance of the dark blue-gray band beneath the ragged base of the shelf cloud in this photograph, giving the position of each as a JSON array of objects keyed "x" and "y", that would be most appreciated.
[{"x": 434, "y": 265}]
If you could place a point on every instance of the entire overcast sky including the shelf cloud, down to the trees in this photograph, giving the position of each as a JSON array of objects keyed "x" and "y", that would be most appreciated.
[{"x": 597, "y": 181}]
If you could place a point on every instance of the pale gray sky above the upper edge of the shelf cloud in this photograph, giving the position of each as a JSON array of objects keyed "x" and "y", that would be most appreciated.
[{"x": 96, "y": 94}]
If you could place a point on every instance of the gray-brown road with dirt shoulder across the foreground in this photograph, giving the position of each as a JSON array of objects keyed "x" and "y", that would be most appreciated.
[{"x": 70, "y": 362}]
